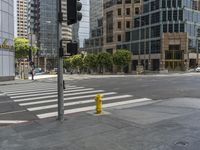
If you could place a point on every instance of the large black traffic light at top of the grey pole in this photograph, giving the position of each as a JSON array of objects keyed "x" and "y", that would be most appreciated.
[{"x": 73, "y": 11}]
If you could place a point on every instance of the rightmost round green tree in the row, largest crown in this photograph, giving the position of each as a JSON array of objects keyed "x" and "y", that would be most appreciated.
[{"x": 122, "y": 58}]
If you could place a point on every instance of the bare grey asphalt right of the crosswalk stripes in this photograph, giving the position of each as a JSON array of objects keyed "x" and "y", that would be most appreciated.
[{"x": 154, "y": 87}]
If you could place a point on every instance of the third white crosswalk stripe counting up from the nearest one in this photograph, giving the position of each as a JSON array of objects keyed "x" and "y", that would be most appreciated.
[{"x": 65, "y": 99}]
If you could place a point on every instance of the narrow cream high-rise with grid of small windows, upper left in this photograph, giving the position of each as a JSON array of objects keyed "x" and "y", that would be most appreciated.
[{"x": 22, "y": 18}]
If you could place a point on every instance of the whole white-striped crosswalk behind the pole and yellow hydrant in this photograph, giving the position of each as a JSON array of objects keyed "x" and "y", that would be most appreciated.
[{"x": 41, "y": 99}]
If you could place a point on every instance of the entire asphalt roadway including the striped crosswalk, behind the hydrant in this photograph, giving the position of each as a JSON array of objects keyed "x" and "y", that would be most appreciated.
[{"x": 27, "y": 101}]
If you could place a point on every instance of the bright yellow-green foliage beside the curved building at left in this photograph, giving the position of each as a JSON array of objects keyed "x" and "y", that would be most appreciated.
[{"x": 21, "y": 47}]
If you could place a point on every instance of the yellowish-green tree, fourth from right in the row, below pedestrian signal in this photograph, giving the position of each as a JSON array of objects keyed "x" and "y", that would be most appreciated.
[{"x": 77, "y": 62}]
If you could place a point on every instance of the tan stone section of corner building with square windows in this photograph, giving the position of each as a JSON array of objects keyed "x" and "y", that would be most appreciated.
[{"x": 117, "y": 20}]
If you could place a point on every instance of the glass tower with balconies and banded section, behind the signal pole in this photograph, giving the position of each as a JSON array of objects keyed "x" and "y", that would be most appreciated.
[{"x": 42, "y": 22}]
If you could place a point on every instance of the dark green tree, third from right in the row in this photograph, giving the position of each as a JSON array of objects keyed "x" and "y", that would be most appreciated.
[{"x": 90, "y": 61}]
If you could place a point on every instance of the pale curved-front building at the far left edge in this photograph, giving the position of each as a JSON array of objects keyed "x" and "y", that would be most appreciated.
[{"x": 7, "y": 56}]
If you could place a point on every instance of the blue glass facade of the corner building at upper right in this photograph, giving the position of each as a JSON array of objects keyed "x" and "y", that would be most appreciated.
[{"x": 161, "y": 16}]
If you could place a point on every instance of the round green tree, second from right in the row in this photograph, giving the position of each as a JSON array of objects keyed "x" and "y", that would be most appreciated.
[{"x": 104, "y": 61}]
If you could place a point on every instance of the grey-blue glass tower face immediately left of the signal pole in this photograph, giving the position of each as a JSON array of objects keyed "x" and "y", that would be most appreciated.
[{"x": 48, "y": 28}]
